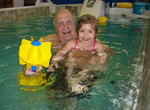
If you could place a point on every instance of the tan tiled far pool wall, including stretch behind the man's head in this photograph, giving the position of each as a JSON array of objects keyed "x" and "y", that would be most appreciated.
[{"x": 30, "y": 10}]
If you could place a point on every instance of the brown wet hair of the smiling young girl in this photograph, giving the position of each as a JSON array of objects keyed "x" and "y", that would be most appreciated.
[{"x": 87, "y": 19}]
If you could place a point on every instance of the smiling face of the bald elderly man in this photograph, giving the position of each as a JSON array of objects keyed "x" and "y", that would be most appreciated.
[{"x": 64, "y": 26}]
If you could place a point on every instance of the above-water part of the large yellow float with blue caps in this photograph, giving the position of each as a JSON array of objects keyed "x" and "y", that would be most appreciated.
[{"x": 34, "y": 53}]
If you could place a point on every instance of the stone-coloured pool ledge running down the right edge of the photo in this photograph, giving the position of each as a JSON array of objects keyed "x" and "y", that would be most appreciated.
[{"x": 144, "y": 100}]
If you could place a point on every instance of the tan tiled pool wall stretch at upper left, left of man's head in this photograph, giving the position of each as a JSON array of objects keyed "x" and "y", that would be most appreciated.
[{"x": 20, "y": 11}]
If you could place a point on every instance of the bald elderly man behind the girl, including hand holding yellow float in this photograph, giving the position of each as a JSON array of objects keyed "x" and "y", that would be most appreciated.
[{"x": 64, "y": 24}]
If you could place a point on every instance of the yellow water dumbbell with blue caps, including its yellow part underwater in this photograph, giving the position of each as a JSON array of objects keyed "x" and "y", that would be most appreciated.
[{"x": 34, "y": 54}]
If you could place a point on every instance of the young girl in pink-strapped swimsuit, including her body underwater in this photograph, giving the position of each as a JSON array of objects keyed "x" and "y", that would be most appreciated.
[{"x": 82, "y": 53}]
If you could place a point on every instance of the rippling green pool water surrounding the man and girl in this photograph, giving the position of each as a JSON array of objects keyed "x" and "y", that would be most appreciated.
[{"x": 116, "y": 89}]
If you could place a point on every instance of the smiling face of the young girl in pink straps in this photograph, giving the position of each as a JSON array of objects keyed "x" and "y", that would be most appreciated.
[{"x": 86, "y": 33}]
